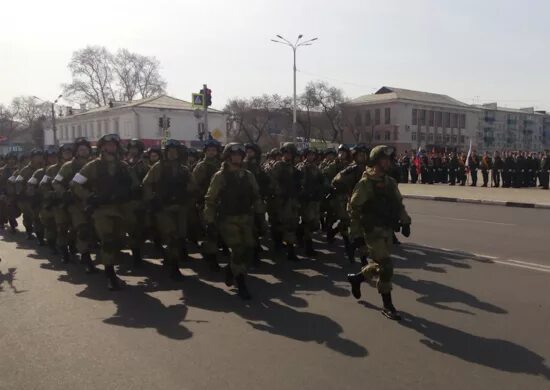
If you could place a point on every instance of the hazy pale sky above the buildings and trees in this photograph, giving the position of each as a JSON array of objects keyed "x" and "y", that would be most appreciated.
[{"x": 473, "y": 50}]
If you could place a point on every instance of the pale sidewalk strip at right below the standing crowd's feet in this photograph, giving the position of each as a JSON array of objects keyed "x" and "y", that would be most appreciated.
[{"x": 511, "y": 197}]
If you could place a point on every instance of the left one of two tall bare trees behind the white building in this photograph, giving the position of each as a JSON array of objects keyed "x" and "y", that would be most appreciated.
[{"x": 92, "y": 74}]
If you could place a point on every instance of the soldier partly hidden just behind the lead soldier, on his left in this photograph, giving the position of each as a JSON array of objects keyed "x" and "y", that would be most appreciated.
[{"x": 343, "y": 184}]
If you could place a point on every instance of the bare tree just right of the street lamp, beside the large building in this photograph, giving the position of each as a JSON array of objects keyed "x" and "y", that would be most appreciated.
[{"x": 329, "y": 100}]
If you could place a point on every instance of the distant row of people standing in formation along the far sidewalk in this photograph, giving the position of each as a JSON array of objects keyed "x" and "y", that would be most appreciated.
[{"x": 502, "y": 169}]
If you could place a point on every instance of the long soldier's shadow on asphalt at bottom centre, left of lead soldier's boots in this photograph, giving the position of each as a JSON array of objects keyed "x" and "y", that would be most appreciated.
[{"x": 267, "y": 315}]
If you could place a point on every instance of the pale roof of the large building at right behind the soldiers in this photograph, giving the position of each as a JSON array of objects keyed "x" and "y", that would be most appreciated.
[{"x": 385, "y": 94}]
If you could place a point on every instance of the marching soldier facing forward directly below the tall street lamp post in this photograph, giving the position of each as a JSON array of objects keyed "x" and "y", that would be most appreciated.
[{"x": 286, "y": 183}]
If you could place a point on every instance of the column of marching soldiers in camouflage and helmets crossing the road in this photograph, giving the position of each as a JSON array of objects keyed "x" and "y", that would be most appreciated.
[{"x": 79, "y": 201}]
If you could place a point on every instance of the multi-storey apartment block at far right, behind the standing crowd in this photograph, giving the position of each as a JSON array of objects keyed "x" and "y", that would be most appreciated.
[{"x": 502, "y": 128}]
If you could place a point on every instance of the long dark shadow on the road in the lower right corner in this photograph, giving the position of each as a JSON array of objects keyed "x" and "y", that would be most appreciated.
[{"x": 494, "y": 353}]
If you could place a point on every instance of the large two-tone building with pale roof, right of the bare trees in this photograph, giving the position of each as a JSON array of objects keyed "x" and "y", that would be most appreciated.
[{"x": 409, "y": 120}]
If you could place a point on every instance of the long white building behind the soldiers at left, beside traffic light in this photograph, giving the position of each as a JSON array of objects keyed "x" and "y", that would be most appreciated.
[{"x": 140, "y": 119}]
